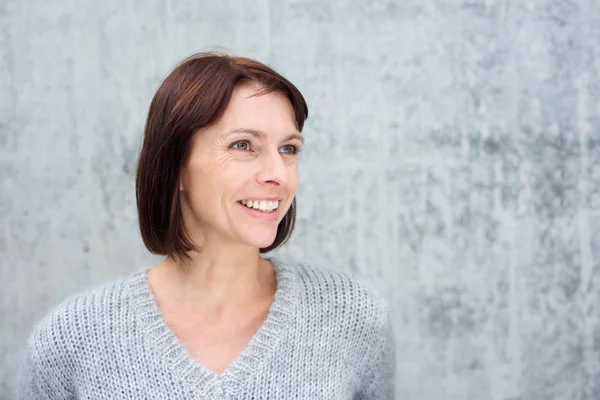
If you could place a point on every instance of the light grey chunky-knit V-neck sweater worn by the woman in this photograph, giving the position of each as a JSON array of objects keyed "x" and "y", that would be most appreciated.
[{"x": 327, "y": 336}]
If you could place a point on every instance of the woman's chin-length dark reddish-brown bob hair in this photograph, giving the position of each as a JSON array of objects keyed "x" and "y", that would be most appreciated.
[{"x": 193, "y": 96}]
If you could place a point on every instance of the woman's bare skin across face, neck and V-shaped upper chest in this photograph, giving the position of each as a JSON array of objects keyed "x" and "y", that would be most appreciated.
[{"x": 216, "y": 302}]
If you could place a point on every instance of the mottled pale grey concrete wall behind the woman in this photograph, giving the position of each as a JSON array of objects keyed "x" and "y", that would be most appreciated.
[{"x": 453, "y": 157}]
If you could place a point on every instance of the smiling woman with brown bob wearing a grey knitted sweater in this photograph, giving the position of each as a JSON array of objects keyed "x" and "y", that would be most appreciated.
[{"x": 216, "y": 181}]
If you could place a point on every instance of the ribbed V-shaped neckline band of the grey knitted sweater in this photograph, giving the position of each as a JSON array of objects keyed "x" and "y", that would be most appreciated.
[{"x": 166, "y": 346}]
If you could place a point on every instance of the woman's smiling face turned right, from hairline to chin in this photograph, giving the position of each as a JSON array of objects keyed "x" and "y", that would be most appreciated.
[{"x": 242, "y": 172}]
